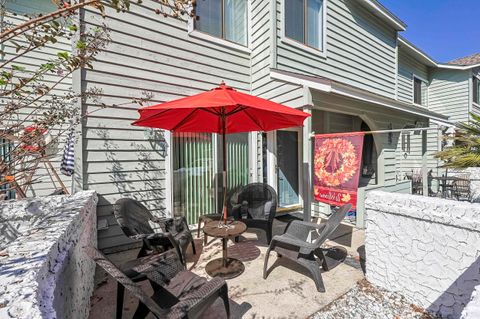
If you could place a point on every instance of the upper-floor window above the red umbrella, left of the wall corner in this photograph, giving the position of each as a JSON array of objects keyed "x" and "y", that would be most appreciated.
[{"x": 226, "y": 19}]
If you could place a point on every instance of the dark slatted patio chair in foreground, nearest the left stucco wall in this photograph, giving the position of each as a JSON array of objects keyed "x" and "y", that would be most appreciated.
[{"x": 178, "y": 293}]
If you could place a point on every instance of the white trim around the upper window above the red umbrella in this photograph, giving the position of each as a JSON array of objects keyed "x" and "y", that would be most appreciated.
[{"x": 194, "y": 33}]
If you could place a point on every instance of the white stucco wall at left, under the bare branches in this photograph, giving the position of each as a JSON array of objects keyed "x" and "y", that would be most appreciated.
[{"x": 43, "y": 270}]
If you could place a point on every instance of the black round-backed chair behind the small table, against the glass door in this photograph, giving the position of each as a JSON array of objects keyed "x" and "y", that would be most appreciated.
[{"x": 258, "y": 205}]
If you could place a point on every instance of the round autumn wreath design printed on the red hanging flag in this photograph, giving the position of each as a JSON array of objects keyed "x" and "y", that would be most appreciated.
[{"x": 335, "y": 161}]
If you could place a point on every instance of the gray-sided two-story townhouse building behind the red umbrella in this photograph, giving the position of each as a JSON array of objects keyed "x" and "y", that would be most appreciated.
[{"x": 343, "y": 61}]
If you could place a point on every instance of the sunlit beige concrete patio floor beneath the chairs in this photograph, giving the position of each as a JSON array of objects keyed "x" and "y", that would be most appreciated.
[{"x": 287, "y": 292}]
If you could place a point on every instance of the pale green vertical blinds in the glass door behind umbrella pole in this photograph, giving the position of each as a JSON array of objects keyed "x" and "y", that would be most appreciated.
[{"x": 195, "y": 168}]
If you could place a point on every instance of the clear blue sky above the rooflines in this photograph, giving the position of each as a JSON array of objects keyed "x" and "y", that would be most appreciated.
[{"x": 444, "y": 29}]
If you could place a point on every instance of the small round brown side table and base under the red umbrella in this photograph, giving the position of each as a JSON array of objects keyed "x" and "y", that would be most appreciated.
[{"x": 224, "y": 267}]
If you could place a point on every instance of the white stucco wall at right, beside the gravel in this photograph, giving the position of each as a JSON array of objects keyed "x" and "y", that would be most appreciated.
[{"x": 427, "y": 249}]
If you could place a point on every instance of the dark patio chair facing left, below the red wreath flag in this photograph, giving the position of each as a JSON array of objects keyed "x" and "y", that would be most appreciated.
[{"x": 293, "y": 244}]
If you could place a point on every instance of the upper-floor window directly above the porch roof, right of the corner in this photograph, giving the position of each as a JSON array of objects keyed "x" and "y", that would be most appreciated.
[{"x": 304, "y": 22}]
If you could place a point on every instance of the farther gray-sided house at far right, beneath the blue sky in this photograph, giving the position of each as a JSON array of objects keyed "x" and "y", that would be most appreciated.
[{"x": 450, "y": 89}]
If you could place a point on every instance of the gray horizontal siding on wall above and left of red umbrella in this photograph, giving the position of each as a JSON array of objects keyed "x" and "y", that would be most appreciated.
[{"x": 147, "y": 53}]
